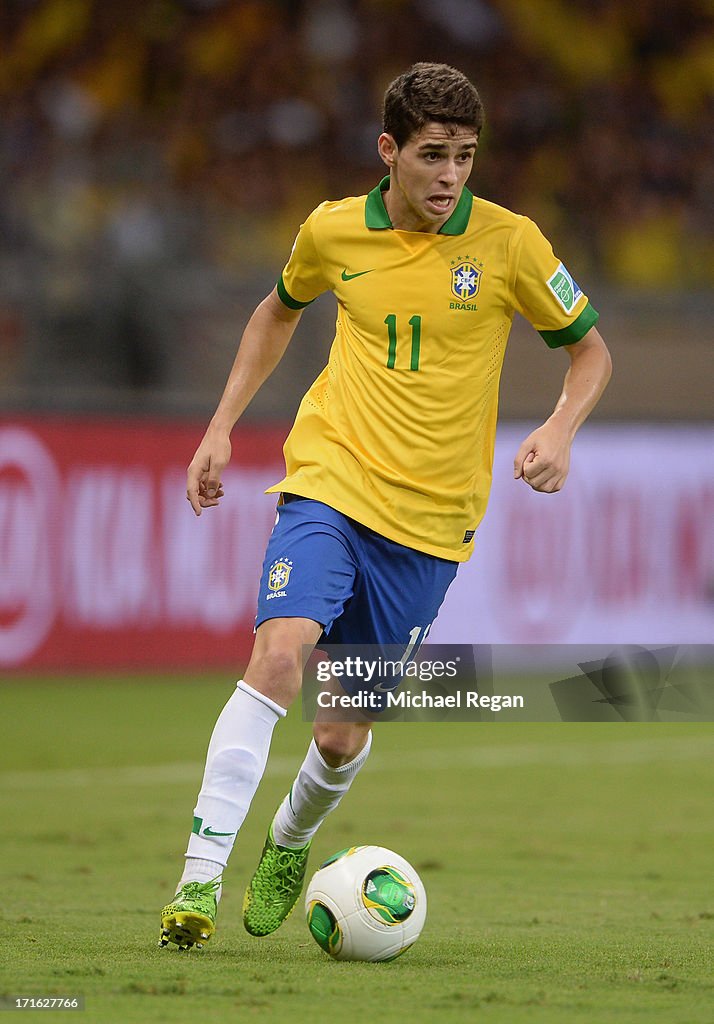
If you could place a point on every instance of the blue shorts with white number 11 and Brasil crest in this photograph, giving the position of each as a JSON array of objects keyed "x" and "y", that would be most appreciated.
[{"x": 362, "y": 588}]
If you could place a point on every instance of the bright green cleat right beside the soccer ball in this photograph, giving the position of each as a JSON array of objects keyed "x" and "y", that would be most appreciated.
[{"x": 275, "y": 888}]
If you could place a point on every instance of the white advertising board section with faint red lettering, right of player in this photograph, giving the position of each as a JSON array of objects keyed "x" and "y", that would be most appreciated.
[{"x": 624, "y": 554}]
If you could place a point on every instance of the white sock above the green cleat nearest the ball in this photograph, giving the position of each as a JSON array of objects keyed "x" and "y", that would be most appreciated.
[{"x": 317, "y": 791}]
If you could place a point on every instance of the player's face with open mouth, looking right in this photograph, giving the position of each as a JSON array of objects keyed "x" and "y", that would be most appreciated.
[{"x": 429, "y": 175}]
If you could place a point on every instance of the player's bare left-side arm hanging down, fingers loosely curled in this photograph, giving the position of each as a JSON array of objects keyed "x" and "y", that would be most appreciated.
[{"x": 264, "y": 344}]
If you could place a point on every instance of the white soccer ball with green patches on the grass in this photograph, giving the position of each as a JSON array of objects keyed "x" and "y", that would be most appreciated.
[{"x": 366, "y": 904}]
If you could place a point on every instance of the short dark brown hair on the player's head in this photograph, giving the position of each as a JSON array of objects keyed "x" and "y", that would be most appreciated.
[{"x": 431, "y": 93}]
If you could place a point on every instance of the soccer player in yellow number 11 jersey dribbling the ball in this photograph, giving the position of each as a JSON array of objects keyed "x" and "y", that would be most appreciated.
[{"x": 389, "y": 462}]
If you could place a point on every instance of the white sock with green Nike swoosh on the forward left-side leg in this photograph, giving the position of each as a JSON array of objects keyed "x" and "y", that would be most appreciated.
[{"x": 235, "y": 765}]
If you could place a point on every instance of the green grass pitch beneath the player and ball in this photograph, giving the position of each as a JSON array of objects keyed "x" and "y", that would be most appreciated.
[{"x": 568, "y": 868}]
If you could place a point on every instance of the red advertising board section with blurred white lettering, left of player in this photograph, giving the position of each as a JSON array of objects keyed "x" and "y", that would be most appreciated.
[{"x": 103, "y": 563}]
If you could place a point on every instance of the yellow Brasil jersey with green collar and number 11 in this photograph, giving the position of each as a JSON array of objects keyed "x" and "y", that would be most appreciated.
[{"x": 398, "y": 432}]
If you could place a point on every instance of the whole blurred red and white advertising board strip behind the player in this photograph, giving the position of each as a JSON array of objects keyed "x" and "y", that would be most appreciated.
[{"x": 104, "y": 565}]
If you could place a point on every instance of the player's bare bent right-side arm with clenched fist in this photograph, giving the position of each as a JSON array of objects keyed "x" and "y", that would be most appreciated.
[{"x": 543, "y": 459}]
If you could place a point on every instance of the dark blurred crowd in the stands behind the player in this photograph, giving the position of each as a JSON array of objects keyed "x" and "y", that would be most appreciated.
[{"x": 151, "y": 143}]
